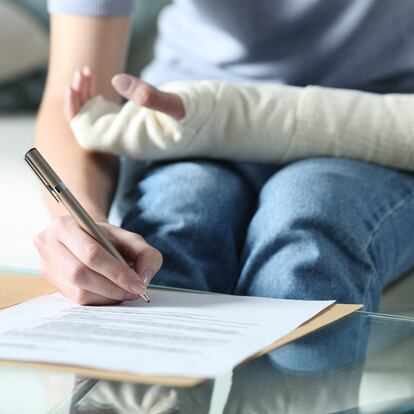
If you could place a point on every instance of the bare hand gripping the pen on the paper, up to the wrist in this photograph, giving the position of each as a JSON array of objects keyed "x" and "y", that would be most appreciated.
[{"x": 83, "y": 271}]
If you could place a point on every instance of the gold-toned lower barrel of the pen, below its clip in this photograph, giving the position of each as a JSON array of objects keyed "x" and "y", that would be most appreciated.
[{"x": 87, "y": 224}]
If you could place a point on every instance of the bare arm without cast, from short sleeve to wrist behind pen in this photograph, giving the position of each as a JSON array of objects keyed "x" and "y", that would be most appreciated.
[{"x": 77, "y": 41}]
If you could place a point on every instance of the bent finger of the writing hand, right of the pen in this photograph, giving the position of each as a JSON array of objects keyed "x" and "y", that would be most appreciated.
[{"x": 147, "y": 259}]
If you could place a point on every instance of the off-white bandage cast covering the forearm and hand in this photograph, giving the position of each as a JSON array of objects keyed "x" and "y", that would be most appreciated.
[{"x": 258, "y": 123}]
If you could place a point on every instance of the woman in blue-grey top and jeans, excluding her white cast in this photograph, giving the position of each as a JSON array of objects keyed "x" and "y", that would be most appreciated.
[{"x": 315, "y": 229}]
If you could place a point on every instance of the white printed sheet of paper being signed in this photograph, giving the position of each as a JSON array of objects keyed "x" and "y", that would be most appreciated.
[{"x": 177, "y": 334}]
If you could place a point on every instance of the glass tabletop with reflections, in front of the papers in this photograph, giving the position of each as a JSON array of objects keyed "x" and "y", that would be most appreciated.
[{"x": 362, "y": 364}]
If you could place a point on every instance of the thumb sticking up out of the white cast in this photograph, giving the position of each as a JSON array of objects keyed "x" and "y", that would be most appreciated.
[{"x": 143, "y": 94}]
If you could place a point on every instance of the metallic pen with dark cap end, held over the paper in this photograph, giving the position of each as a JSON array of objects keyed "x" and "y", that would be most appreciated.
[{"x": 62, "y": 194}]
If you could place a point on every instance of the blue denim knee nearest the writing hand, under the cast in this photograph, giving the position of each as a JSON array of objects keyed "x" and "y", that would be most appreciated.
[{"x": 196, "y": 213}]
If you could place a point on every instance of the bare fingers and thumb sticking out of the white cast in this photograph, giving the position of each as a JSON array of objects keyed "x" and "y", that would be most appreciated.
[{"x": 141, "y": 93}]
